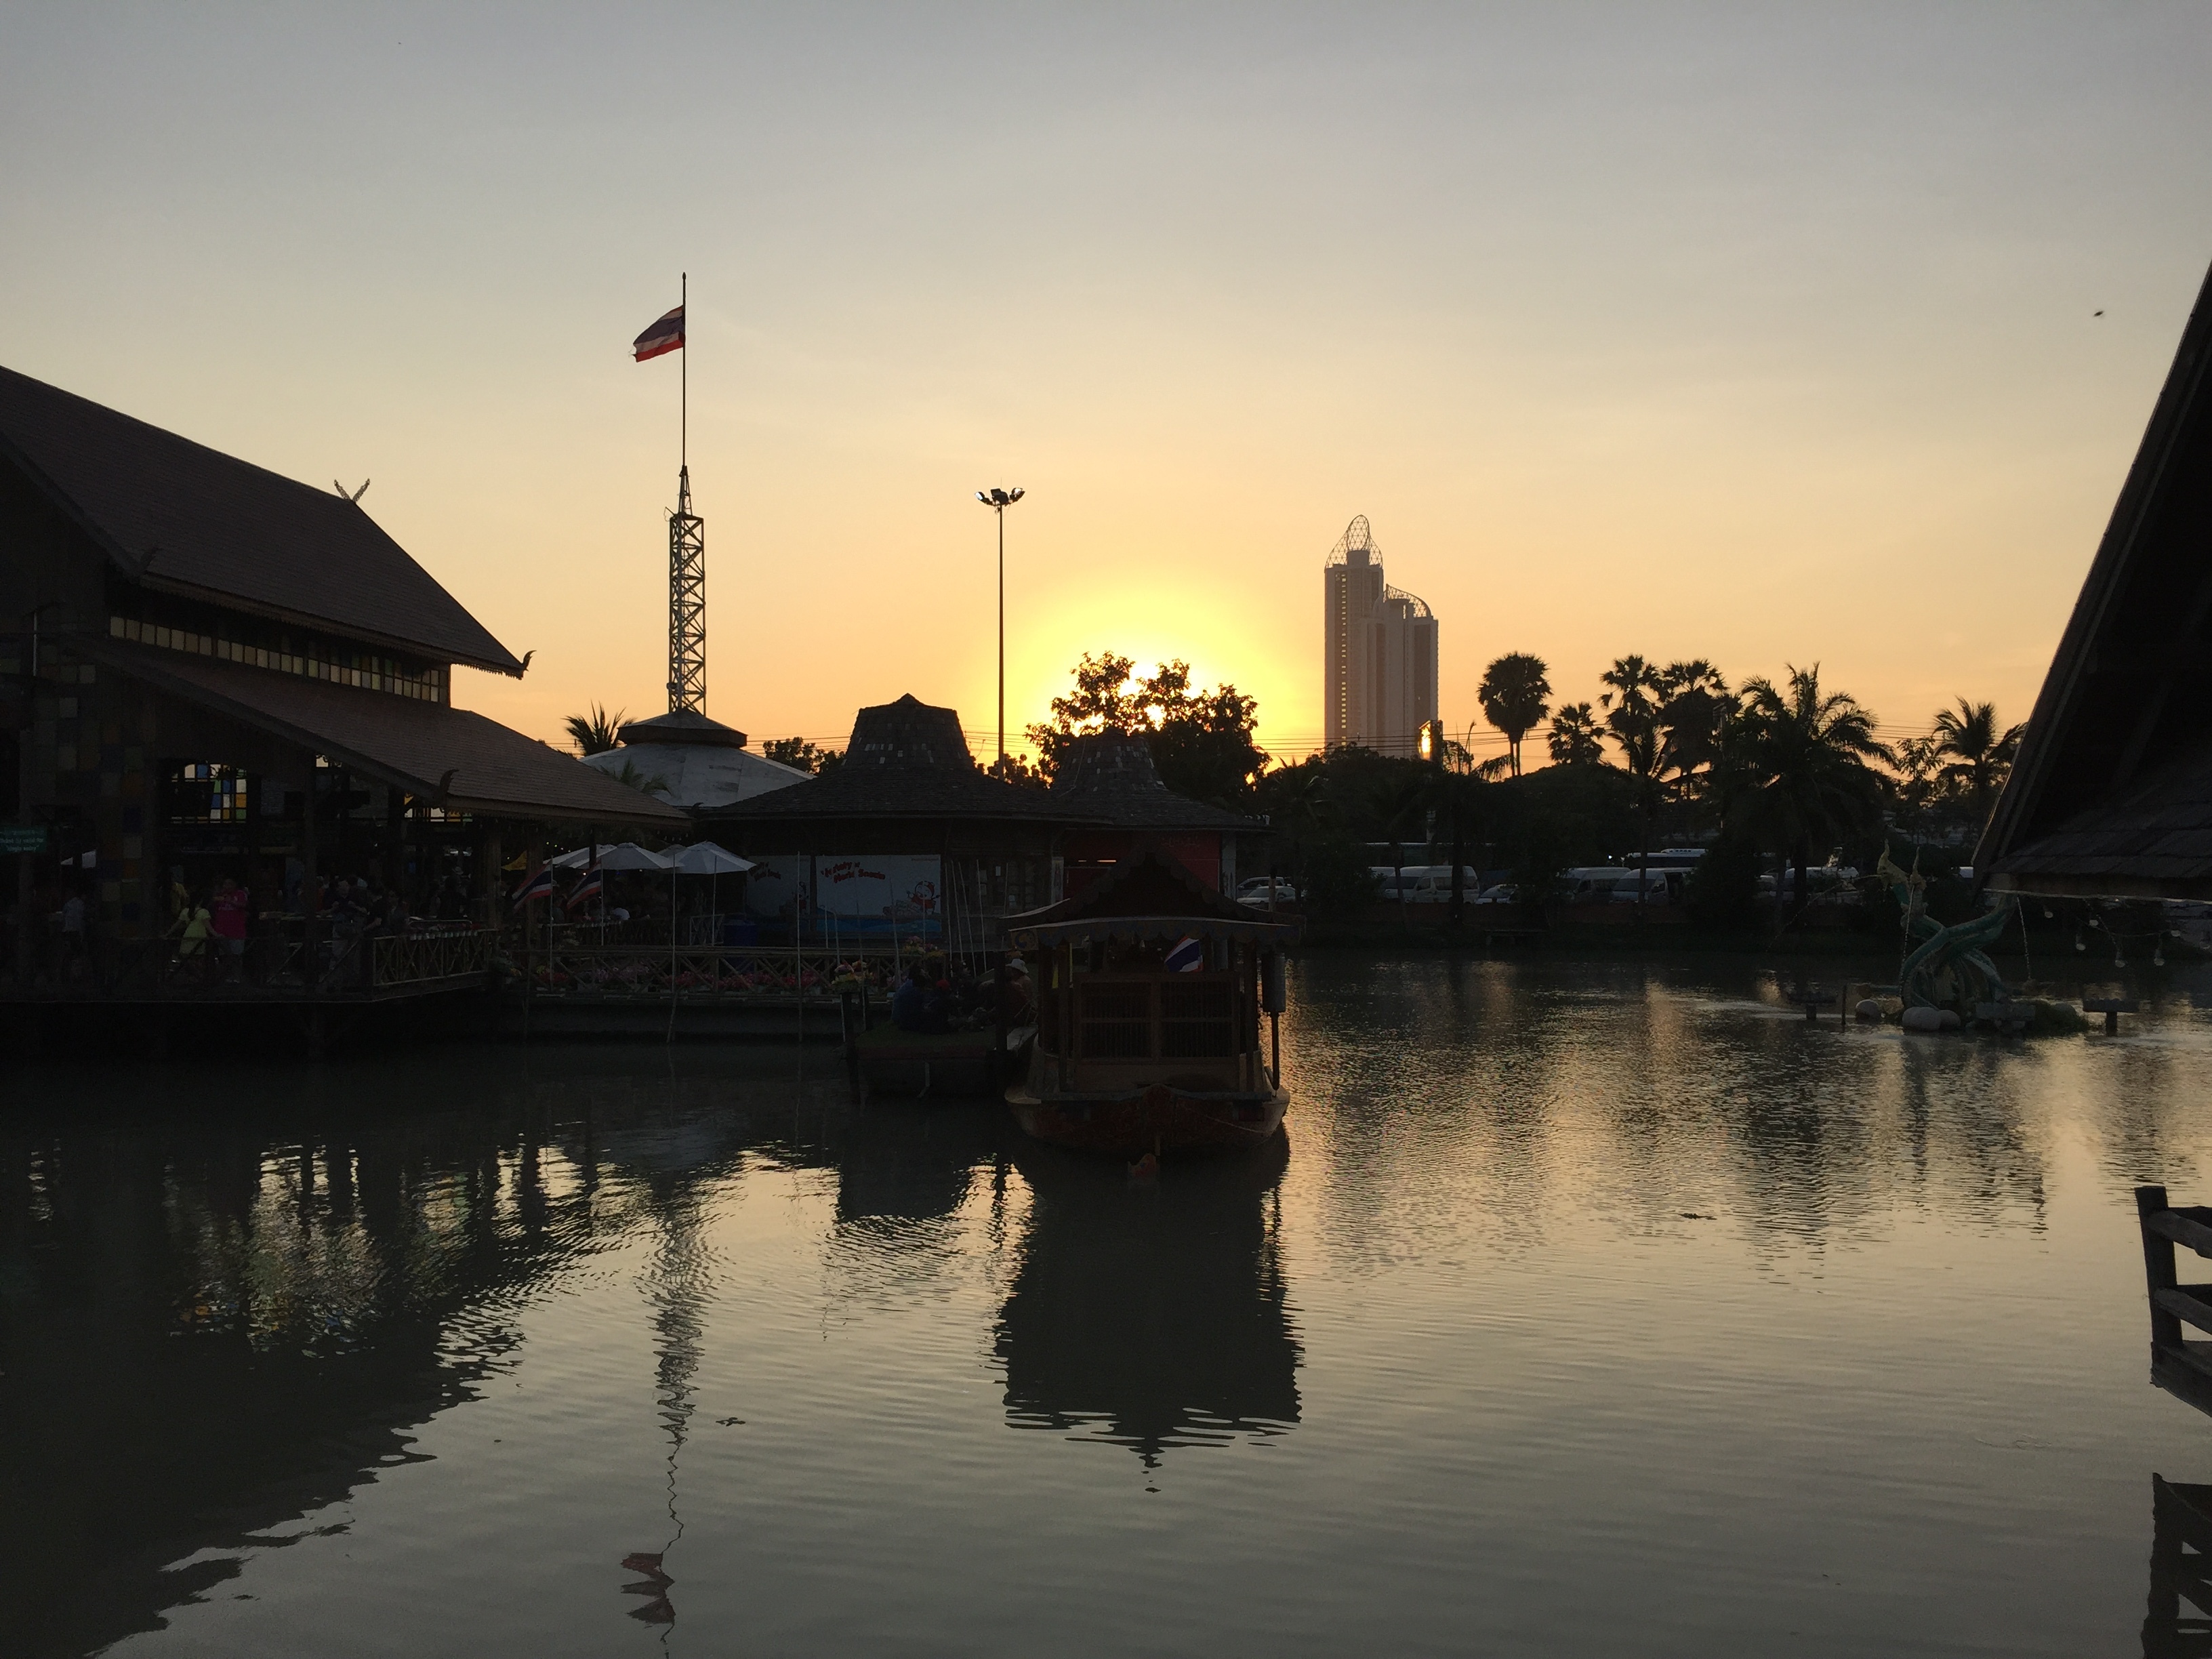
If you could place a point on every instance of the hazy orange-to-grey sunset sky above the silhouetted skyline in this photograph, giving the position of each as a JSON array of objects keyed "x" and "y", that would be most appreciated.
[{"x": 1762, "y": 335}]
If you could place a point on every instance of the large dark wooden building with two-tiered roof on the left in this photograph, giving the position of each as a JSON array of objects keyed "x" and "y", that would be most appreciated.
[{"x": 211, "y": 671}]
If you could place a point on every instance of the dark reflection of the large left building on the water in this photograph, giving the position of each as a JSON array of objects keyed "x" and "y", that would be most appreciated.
[{"x": 207, "y": 1335}]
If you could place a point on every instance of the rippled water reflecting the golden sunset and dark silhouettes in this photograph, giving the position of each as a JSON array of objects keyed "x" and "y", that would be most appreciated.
[{"x": 1587, "y": 1311}]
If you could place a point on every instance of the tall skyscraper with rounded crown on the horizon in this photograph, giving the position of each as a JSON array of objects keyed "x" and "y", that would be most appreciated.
[{"x": 1379, "y": 651}]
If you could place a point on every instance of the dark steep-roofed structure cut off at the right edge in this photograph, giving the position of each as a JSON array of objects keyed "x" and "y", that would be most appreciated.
[{"x": 2111, "y": 795}]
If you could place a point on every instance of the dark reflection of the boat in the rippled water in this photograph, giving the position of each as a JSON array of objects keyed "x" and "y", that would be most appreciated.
[{"x": 1151, "y": 1315}]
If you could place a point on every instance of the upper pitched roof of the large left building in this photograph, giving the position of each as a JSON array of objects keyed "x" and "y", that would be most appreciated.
[{"x": 194, "y": 521}]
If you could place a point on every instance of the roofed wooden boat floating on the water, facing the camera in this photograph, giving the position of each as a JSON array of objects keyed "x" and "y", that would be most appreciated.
[{"x": 1151, "y": 990}]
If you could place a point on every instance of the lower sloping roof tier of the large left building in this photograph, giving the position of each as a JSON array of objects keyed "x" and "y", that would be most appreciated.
[{"x": 470, "y": 762}]
